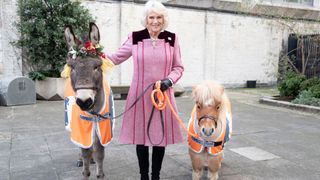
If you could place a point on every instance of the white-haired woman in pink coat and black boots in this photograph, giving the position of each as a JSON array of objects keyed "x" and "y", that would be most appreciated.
[{"x": 156, "y": 56}]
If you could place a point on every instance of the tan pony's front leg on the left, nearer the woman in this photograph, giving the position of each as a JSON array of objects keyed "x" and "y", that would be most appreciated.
[{"x": 197, "y": 165}]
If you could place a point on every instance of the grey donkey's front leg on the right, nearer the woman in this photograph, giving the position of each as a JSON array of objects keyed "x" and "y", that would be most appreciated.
[{"x": 98, "y": 157}]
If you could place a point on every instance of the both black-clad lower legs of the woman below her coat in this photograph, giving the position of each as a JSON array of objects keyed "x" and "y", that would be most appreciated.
[{"x": 143, "y": 158}]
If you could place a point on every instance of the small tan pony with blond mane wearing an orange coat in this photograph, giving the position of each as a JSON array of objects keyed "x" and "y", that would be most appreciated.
[{"x": 211, "y": 120}]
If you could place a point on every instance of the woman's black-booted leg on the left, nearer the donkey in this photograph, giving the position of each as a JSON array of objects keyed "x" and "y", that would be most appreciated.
[{"x": 143, "y": 158}]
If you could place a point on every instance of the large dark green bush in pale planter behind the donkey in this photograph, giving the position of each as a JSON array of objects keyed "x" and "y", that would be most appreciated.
[{"x": 42, "y": 41}]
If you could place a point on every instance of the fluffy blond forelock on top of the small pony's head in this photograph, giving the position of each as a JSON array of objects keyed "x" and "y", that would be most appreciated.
[{"x": 207, "y": 93}]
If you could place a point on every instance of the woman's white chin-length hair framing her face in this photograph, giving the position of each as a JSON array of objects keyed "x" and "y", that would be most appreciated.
[{"x": 157, "y": 7}]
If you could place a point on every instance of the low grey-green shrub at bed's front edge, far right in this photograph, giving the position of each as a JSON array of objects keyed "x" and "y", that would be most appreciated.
[{"x": 307, "y": 97}]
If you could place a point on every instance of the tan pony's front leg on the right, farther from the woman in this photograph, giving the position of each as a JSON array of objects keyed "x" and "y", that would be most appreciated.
[{"x": 214, "y": 164}]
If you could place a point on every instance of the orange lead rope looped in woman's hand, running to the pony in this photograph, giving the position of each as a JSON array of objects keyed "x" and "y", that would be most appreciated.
[{"x": 163, "y": 98}]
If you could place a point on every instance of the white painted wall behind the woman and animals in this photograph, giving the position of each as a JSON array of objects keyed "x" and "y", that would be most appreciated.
[{"x": 229, "y": 48}]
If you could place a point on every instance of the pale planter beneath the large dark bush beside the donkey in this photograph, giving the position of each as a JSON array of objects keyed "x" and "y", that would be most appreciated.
[{"x": 50, "y": 89}]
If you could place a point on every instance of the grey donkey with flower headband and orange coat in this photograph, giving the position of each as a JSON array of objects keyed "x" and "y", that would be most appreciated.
[{"x": 88, "y": 99}]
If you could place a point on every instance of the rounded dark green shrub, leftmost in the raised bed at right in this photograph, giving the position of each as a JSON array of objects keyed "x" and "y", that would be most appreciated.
[{"x": 290, "y": 86}]
